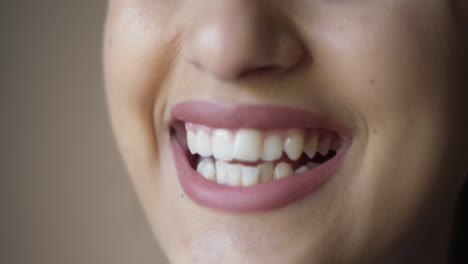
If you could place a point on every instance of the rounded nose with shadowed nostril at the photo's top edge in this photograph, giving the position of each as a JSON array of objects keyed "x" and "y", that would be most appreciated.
[{"x": 240, "y": 38}]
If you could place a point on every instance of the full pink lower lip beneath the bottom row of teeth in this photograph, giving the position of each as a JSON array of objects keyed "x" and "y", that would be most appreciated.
[{"x": 261, "y": 197}]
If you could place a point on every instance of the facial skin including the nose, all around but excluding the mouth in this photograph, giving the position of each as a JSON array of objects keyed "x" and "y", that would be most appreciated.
[{"x": 391, "y": 71}]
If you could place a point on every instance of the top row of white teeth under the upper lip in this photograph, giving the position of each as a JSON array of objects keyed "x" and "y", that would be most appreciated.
[{"x": 251, "y": 145}]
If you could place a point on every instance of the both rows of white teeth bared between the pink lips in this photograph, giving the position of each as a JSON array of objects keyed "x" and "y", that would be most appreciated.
[{"x": 251, "y": 145}]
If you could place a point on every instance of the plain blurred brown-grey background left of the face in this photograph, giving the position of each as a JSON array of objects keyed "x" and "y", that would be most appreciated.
[{"x": 64, "y": 193}]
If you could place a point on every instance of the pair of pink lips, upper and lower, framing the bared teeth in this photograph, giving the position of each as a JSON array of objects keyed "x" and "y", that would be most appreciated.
[{"x": 261, "y": 197}]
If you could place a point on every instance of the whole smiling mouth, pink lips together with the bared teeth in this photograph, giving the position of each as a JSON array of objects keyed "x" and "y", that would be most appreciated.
[{"x": 252, "y": 158}]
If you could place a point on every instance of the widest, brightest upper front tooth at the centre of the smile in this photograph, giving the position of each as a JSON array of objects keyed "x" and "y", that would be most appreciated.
[{"x": 247, "y": 145}]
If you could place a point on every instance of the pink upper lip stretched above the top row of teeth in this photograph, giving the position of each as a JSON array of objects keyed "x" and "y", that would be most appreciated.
[{"x": 253, "y": 116}]
